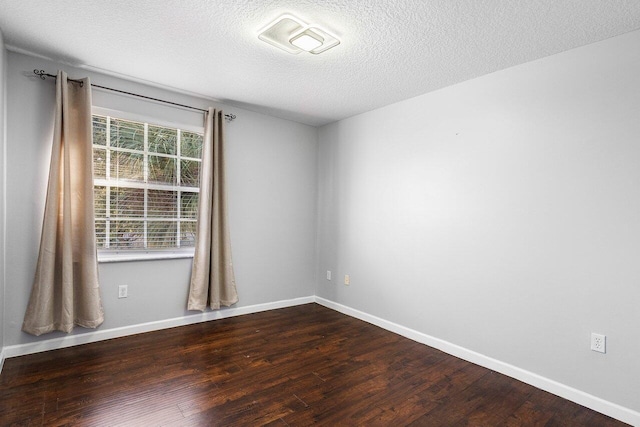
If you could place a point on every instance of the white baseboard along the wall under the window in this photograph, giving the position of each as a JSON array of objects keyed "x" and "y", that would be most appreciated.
[{"x": 101, "y": 335}]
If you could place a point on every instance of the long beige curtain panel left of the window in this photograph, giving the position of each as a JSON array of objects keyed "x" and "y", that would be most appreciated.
[{"x": 65, "y": 289}]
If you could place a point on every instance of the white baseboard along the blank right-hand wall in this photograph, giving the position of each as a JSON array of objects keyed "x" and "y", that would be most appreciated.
[{"x": 597, "y": 404}]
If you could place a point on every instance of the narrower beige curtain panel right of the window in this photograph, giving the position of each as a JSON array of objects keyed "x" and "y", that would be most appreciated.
[{"x": 212, "y": 278}]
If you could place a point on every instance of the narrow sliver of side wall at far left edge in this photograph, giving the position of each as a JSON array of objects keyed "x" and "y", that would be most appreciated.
[{"x": 3, "y": 64}]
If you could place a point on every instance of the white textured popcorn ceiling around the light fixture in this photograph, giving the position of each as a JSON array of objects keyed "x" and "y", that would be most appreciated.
[{"x": 390, "y": 49}]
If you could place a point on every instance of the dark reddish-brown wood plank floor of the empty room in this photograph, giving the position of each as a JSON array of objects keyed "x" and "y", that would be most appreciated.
[{"x": 295, "y": 366}]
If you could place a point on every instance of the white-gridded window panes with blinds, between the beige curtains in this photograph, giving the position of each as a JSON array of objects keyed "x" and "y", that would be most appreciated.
[{"x": 146, "y": 181}]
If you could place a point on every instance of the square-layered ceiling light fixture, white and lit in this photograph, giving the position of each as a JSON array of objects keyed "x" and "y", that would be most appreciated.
[{"x": 294, "y": 36}]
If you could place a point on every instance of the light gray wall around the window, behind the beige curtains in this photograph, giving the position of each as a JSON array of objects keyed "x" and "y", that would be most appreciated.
[{"x": 272, "y": 201}]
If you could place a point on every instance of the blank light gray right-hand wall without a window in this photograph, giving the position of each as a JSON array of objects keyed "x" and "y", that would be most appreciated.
[{"x": 501, "y": 215}]
